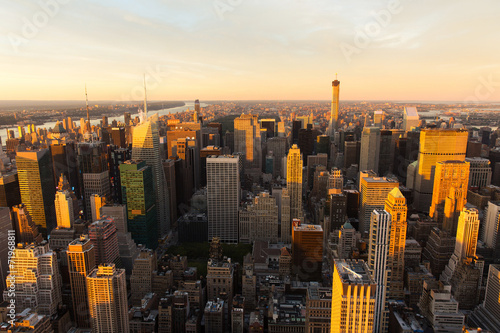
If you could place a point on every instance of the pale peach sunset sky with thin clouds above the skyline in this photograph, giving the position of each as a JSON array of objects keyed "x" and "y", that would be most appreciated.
[{"x": 446, "y": 50}]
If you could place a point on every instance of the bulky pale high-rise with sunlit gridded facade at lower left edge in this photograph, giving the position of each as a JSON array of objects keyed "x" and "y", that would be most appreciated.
[{"x": 34, "y": 275}]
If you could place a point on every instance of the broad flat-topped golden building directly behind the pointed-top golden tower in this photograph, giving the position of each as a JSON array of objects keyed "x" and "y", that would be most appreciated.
[{"x": 374, "y": 191}]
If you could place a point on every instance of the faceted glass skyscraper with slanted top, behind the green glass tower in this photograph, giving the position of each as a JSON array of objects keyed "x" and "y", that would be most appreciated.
[{"x": 146, "y": 147}]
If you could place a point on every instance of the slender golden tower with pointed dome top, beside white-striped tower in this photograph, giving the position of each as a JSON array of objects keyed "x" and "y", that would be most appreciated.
[{"x": 395, "y": 205}]
